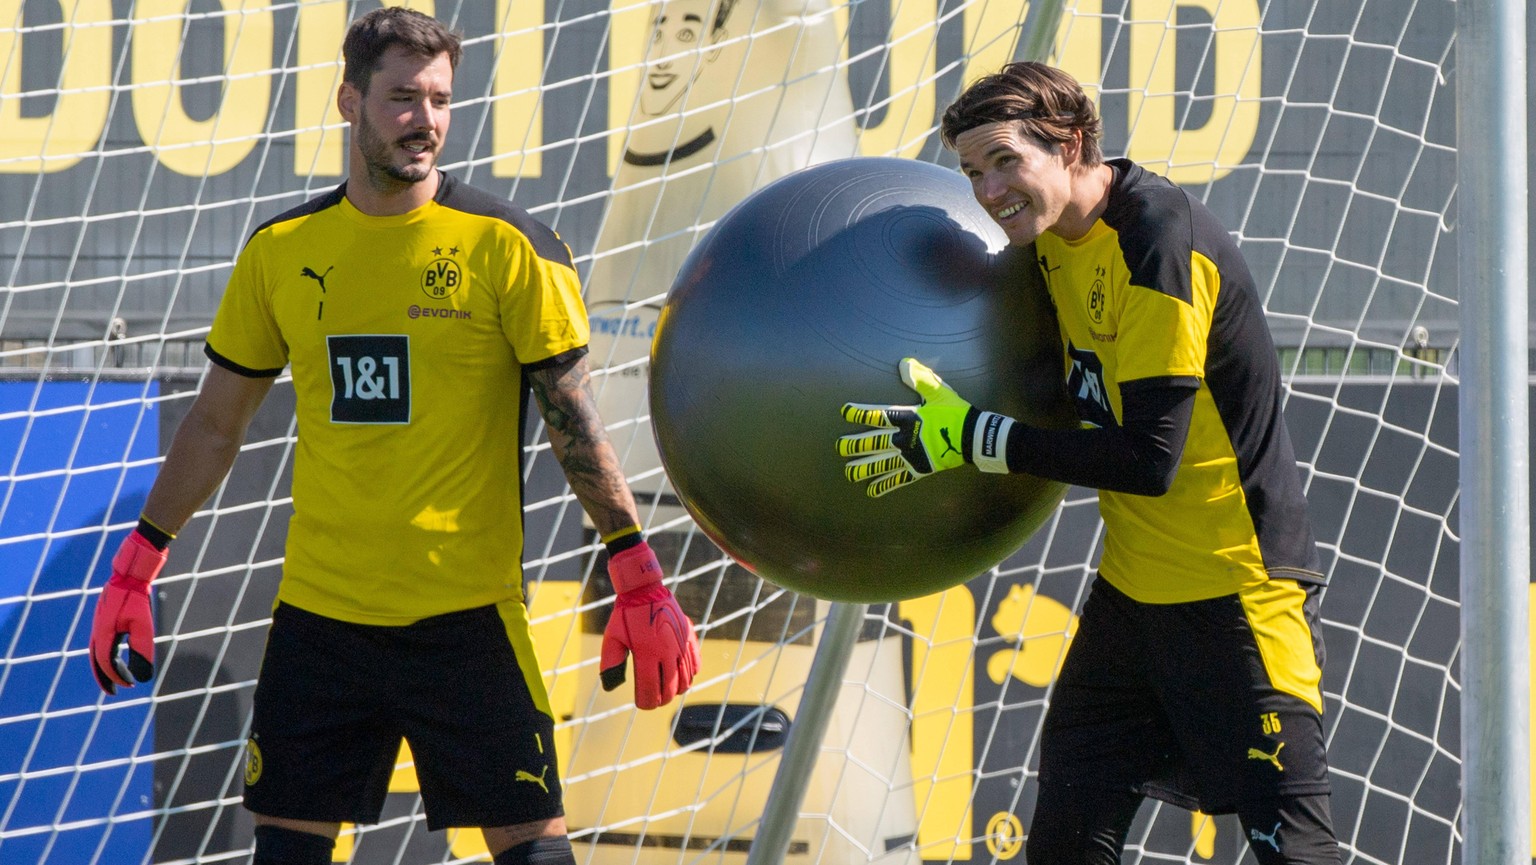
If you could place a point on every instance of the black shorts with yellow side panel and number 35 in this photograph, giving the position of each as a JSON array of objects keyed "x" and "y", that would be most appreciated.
[{"x": 1208, "y": 704}]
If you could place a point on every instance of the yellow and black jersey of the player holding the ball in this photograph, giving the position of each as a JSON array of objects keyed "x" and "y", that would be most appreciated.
[{"x": 1159, "y": 291}]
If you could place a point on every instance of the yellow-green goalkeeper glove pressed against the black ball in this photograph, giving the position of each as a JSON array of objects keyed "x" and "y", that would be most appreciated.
[{"x": 915, "y": 442}]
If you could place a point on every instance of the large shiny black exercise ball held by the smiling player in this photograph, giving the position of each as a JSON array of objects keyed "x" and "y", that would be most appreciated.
[{"x": 806, "y": 297}]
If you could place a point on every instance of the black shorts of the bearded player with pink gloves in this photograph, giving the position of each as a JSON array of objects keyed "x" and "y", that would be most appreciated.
[{"x": 336, "y": 700}]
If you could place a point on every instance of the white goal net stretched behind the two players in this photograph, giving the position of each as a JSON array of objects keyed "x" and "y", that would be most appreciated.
[{"x": 142, "y": 142}]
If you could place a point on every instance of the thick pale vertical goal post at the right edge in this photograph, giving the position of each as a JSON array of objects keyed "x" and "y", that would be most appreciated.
[{"x": 1494, "y": 267}]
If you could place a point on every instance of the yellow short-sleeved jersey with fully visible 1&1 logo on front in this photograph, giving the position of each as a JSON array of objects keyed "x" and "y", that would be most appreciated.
[{"x": 408, "y": 339}]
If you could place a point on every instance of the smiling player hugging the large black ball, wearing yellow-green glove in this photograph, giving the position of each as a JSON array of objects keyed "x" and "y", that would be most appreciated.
[{"x": 1196, "y": 671}]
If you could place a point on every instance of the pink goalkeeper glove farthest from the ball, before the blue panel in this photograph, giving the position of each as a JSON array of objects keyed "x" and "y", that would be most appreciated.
[{"x": 124, "y": 609}]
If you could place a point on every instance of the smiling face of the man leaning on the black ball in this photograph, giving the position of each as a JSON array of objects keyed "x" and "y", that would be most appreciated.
[{"x": 1024, "y": 184}]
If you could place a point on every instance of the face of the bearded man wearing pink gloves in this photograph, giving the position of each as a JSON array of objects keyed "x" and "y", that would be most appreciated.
[{"x": 402, "y": 122}]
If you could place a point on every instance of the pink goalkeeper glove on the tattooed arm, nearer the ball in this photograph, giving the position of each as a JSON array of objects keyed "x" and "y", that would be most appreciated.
[{"x": 649, "y": 623}]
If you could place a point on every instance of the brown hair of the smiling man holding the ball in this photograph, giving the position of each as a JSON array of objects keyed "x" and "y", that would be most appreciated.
[{"x": 1048, "y": 104}]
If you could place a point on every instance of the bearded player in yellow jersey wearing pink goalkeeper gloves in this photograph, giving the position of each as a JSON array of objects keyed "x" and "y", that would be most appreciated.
[{"x": 417, "y": 316}]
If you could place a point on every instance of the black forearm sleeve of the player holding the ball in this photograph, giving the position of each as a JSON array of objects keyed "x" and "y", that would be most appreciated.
[{"x": 1137, "y": 457}]
